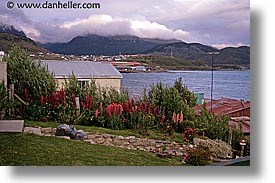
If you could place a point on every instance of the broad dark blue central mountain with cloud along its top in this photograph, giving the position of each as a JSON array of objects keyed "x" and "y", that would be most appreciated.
[{"x": 91, "y": 44}]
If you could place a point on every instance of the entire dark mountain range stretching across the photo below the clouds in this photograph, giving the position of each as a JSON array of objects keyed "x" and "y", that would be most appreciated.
[{"x": 91, "y": 44}]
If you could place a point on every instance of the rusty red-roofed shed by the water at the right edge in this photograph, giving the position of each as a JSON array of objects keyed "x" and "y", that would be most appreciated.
[{"x": 232, "y": 107}]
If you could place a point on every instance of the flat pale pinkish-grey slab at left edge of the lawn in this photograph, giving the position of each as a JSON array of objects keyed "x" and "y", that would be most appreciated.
[{"x": 11, "y": 125}]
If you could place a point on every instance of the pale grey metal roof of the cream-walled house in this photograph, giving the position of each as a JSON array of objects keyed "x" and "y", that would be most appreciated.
[{"x": 81, "y": 69}]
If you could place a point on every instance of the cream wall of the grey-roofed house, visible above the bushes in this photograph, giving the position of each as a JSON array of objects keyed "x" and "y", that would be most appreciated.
[{"x": 102, "y": 82}]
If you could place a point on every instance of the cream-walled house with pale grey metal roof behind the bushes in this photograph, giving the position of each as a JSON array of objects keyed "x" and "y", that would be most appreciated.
[{"x": 104, "y": 74}]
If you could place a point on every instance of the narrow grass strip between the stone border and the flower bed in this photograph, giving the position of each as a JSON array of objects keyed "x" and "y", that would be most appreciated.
[{"x": 153, "y": 134}]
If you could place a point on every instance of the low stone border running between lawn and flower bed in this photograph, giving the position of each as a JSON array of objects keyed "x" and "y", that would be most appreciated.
[{"x": 130, "y": 142}]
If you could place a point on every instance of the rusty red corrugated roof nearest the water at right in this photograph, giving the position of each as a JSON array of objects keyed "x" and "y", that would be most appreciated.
[{"x": 224, "y": 106}]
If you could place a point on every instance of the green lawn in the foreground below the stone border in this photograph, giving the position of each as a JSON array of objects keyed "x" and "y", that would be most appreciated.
[{"x": 19, "y": 149}]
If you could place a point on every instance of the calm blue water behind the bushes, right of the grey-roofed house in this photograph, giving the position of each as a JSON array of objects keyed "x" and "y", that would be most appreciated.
[{"x": 229, "y": 84}]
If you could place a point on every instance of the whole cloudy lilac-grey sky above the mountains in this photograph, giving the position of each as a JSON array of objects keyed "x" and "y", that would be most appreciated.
[{"x": 219, "y": 23}]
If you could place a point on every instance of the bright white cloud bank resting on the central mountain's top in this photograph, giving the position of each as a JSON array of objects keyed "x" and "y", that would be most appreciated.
[{"x": 104, "y": 24}]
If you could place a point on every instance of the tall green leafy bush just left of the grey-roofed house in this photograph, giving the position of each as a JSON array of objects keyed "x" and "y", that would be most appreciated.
[{"x": 29, "y": 78}]
